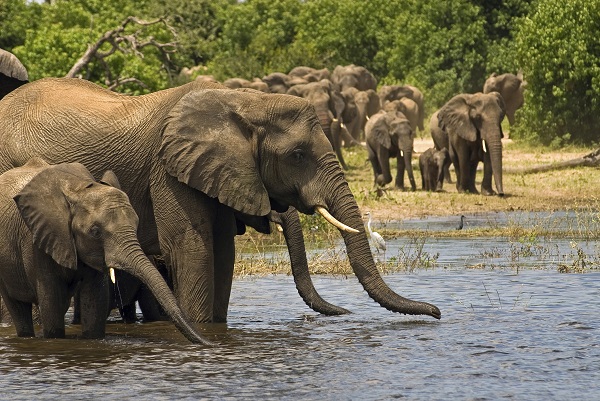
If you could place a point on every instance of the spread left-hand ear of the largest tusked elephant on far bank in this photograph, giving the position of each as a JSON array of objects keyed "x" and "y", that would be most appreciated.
[{"x": 455, "y": 116}]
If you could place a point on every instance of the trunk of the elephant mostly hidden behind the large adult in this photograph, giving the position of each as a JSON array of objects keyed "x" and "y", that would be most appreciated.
[{"x": 292, "y": 231}]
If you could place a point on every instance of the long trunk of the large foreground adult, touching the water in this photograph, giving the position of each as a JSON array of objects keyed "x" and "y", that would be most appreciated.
[{"x": 342, "y": 205}]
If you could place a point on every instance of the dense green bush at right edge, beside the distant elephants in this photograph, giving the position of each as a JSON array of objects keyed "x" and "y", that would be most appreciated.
[{"x": 558, "y": 48}]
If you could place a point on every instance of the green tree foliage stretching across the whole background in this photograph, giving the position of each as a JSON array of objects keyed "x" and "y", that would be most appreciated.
[{"x": 444, "y": 48}]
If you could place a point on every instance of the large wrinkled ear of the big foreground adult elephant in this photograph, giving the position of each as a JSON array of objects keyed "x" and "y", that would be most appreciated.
[{"x": 207, "y": 143}]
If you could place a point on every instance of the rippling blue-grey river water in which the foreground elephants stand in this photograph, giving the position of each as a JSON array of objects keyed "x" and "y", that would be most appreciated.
[{"x": 505, "y": 333}]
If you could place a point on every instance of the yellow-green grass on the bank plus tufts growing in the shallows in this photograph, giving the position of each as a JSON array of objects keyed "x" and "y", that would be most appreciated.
[{"x": 573, "y": 190}]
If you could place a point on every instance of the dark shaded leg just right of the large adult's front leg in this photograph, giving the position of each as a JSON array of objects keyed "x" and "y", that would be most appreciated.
[{"x": 224, "y": 256}]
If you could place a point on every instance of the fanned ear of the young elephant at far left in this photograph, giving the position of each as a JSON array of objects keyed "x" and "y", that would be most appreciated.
[{"x": 46, "y": 210}]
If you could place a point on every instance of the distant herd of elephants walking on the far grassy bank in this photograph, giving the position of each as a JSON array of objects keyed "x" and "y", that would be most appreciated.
[{"x": 351, "y": 109}]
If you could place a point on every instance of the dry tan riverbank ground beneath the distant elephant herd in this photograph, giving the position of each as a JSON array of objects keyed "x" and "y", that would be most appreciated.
[{"x": 574, "y": 189}]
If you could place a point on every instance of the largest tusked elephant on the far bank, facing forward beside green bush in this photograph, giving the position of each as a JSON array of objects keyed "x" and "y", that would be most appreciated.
[{"x": 473, "y": 124}]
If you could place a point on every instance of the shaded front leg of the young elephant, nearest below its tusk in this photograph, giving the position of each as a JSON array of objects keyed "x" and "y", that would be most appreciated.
[{"x": 94, "y": 304}]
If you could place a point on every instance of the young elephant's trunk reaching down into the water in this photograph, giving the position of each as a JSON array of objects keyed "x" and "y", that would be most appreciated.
[{"x": 132, "y": 260}]
